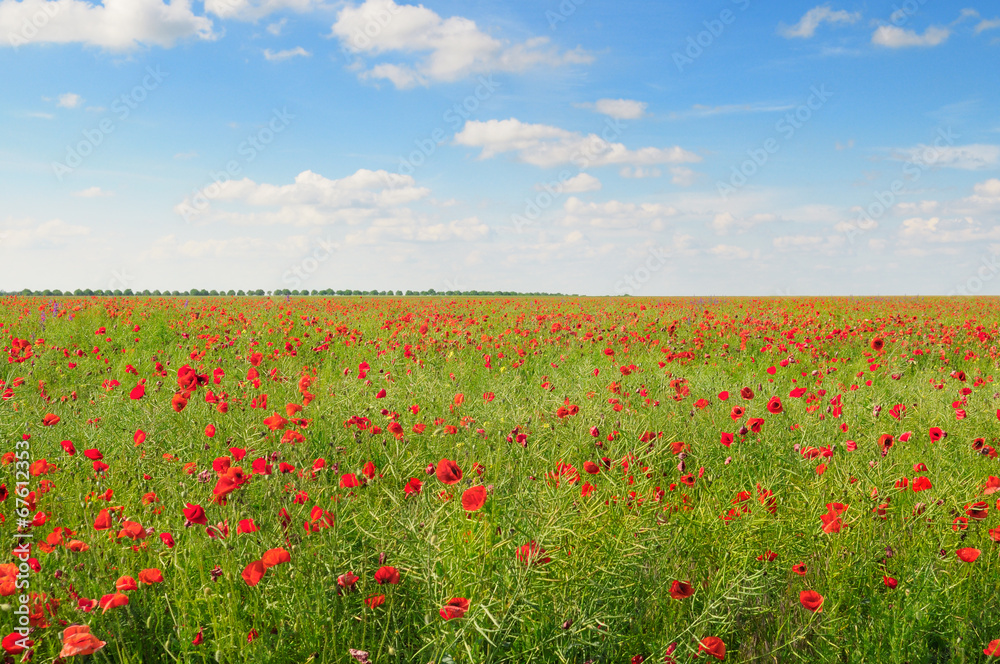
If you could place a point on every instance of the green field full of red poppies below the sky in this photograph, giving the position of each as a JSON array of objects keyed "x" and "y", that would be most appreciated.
[{"x": 414, "y": 480}]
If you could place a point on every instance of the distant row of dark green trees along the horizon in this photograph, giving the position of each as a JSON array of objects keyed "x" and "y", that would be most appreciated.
[{"x": 195, "y": 292}]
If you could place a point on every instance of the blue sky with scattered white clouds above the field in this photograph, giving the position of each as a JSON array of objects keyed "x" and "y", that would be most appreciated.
[{"x": 576, "y": 146}]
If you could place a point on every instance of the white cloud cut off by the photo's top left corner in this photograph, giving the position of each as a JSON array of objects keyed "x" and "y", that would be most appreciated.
[{"x": 116, "y": 25}]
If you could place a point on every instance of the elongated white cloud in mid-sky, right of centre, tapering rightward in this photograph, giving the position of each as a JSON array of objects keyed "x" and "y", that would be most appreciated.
[{"x": 547, "y": 146}]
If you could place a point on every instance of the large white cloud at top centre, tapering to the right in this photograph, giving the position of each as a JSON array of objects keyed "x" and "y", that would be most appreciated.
[{"x": 437, "y": 49}]
